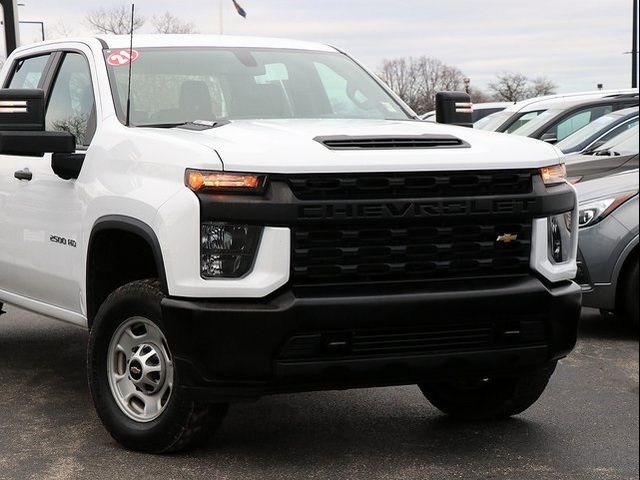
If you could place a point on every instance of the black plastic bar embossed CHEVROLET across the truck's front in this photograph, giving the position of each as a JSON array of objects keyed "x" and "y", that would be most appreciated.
[{"x": 279, "y": 207}]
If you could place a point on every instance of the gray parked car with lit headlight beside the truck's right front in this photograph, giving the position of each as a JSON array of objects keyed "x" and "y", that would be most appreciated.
[{"x": 608, "y": 245}]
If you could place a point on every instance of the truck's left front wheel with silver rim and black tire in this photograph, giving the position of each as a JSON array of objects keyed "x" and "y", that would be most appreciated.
[{"x": 133, "y": 379}]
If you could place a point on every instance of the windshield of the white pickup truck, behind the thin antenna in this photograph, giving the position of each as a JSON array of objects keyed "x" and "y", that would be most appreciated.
[{"x": 179, "y": 85}]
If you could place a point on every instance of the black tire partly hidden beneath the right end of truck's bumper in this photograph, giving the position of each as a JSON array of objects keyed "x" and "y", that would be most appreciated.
[{"x": 488, "y": 398}]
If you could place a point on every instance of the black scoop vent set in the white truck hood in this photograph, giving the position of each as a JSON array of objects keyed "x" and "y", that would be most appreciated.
[{"x": 391, "y": 142}]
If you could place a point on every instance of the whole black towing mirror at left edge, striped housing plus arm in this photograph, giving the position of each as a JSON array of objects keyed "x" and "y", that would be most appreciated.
[{"x": 22, "y": 126}]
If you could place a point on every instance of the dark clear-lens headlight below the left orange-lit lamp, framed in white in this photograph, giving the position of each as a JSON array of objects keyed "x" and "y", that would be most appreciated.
[{"x": 227, "y": 250}]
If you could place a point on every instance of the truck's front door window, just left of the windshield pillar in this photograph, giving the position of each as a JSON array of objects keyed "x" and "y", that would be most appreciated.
[{"x": 71, "y": 102}]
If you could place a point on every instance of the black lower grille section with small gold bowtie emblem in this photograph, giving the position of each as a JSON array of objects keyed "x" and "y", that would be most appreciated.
[{"x": 394, "y": 251}]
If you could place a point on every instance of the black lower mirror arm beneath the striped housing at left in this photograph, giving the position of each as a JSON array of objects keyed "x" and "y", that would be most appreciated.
[{"x": 36, "y": 144}]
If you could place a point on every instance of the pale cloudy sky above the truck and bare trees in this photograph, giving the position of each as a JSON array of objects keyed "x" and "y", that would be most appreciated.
[{"x": 575, "y": 43}]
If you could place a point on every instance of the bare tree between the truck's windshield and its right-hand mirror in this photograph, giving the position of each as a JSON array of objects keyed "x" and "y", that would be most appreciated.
[{"x": 416, "y": 80}]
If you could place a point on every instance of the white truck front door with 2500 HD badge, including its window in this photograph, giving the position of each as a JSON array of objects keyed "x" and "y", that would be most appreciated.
[{"x": 42, "y": 260}]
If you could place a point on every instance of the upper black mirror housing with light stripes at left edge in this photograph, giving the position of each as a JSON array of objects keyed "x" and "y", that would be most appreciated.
[{"x": 22, "y": 110}]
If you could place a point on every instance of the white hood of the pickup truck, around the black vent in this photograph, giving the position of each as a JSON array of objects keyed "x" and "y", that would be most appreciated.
[{"x": 288, "y": 146}]
